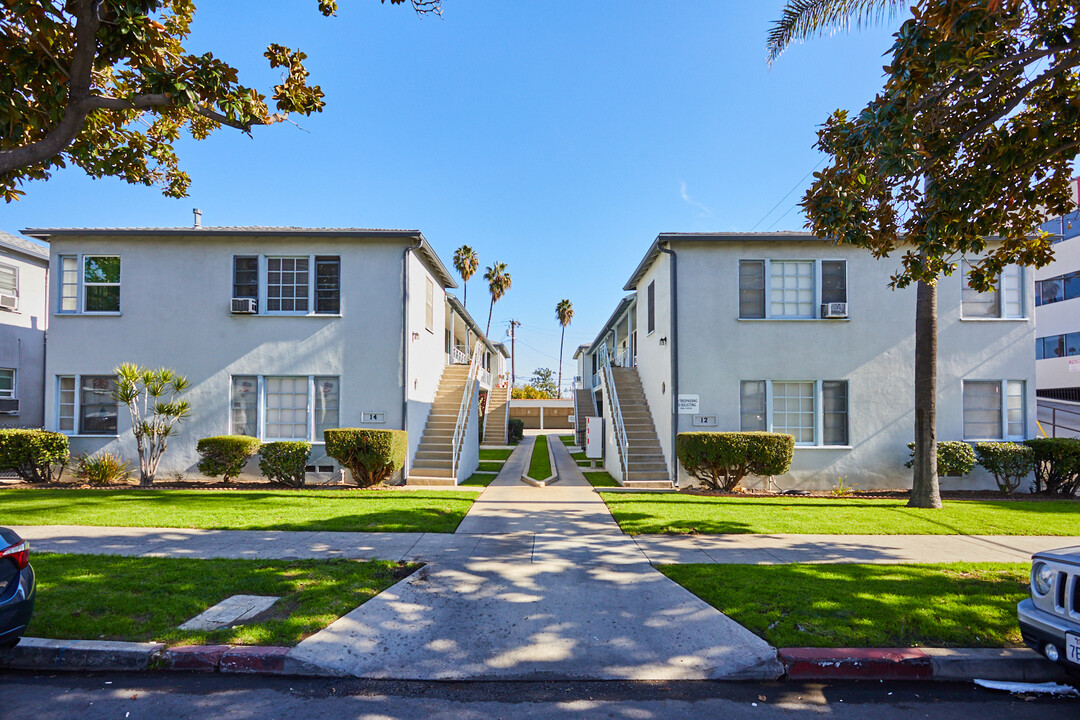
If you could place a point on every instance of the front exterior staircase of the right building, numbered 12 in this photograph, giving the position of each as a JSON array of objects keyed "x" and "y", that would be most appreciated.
[{"x": 645, "y": 466}]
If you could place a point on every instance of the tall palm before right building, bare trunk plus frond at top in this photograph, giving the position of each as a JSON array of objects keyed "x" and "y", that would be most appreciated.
[{"x": 800, "y": 20}]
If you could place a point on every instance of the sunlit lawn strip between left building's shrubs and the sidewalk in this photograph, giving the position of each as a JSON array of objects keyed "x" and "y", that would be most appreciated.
[{"x": 362, "y": 511}]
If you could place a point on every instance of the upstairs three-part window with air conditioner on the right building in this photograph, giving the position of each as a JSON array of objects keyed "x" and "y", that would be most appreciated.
[{"x": 790, "y": 290}]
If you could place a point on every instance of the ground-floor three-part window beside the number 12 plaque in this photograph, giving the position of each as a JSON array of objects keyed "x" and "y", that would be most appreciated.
[{"x": 814, "y": 412}]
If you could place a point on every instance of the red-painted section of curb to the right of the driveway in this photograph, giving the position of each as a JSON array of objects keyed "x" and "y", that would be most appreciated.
[{"x": 857, "y": 664}]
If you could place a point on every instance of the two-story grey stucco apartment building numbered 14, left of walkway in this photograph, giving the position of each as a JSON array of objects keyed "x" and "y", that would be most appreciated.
[{"x": 282, "y": 332}]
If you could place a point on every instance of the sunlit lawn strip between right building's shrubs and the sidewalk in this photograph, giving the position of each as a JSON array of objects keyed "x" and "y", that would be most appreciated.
[{"x": 678, "y": 513}]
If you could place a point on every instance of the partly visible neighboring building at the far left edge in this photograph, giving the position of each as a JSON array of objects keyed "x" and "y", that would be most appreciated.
[{"x": 24, "y": 271}]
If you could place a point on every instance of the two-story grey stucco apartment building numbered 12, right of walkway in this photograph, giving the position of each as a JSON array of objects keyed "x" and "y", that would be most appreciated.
[{"x": 792, "y": 334}]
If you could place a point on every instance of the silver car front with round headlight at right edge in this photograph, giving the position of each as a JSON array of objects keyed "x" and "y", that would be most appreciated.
[{"x": 1050, "y": 619}]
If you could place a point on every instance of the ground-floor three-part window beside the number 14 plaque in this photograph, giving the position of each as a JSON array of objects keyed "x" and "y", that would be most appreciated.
[{"x": 285, "y": 407}]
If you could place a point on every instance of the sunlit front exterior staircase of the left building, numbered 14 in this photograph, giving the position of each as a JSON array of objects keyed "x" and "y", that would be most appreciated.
[{"x": 431, "y": 466}]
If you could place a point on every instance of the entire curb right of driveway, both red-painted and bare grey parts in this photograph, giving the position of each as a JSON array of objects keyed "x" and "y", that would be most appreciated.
[{"x": 941, "y": 664}]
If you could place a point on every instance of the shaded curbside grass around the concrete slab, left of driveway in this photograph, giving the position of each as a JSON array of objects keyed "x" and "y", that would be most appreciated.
[{"x": 100, "y": 597}]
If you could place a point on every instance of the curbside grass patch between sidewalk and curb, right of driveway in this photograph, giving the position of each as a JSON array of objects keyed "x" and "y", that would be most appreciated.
[{"x": 867, "y": 606}]
